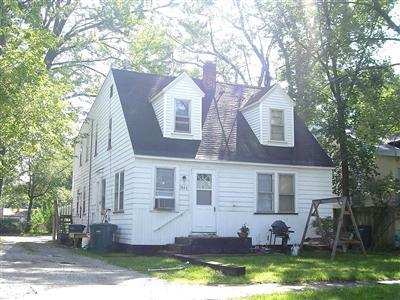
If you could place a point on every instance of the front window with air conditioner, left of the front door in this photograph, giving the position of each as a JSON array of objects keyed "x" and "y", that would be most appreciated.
[{"x": 165, "y": 189}]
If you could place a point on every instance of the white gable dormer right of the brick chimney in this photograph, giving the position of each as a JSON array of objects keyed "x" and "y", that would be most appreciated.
[{"x": 271, "y": 117}]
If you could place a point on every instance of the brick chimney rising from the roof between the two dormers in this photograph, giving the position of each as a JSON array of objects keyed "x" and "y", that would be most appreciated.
[{"x": 209, "y": 84}]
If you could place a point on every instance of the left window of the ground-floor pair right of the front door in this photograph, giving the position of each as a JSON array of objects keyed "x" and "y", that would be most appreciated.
[{"x": 265, "y": 193}]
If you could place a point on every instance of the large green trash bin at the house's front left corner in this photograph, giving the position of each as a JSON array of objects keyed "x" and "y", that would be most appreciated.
[{"x": 102, "y": 237}]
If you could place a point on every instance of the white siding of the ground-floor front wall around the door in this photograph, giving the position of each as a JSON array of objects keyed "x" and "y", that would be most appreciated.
[{"x": 234, "y": 193}]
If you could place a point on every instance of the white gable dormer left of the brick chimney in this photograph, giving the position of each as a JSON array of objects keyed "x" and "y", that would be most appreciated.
[{"x": 178, "y": 108}]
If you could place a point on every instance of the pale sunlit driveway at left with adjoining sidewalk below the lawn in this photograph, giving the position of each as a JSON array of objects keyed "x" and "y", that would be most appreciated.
[{"x": 36, "y": 268}]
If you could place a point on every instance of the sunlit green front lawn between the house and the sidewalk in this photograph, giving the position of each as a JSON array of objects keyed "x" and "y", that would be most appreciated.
[{"x": 310, "y": 267}]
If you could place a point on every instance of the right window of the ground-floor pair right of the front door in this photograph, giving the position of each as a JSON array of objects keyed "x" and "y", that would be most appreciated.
[{"x": 286, "y": 193}]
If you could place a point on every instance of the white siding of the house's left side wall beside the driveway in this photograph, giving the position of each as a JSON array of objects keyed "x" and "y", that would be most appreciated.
[{"x": 106, "y": 163}]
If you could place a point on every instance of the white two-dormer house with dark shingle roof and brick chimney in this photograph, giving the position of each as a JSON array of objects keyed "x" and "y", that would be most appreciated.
[{"x": 167, "y": 162}]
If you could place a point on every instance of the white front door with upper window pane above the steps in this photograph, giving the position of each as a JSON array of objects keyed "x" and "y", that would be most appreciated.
[{"x": 203, "y": 208}]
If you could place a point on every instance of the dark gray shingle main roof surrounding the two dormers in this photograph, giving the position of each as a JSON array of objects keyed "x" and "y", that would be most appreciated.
[{"x": 135, "y": 89}]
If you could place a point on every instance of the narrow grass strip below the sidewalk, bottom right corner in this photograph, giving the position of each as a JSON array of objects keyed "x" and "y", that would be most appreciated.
[{"x": 375, "y": 292}]
